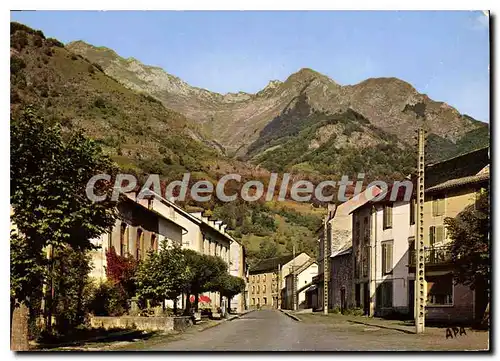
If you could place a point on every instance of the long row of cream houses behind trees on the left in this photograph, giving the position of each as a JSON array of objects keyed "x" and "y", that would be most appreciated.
[{"x": 144, "y": 224}]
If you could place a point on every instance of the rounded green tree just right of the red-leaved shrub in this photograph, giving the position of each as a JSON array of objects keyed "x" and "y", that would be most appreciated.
[{"x": 163, "y": 275}]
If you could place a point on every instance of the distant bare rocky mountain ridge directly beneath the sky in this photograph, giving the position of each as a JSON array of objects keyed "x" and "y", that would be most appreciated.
[{"x": 240, "y": 121}]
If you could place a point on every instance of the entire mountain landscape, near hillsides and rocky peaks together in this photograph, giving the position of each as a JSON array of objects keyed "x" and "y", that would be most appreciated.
[{"x": 149, "y": 121}]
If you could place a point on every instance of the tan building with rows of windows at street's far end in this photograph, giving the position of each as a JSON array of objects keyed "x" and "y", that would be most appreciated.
[{"x": 267, "y": 279}]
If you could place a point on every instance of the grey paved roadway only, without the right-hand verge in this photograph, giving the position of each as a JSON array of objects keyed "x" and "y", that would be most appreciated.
[{"x": 264, "y": 330}]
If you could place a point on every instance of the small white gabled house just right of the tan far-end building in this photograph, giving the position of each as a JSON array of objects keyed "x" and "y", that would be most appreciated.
[{"x": 302, "y": 276}]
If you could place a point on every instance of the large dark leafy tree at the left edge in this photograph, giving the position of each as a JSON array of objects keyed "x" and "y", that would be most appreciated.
[{"x": 49, "y": 173}]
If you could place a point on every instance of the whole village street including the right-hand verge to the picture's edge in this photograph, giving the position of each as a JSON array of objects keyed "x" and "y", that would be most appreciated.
[{"x": 271, "y": 330}]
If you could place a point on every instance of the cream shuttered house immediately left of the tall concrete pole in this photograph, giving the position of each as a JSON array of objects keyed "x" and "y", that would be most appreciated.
[{"x": 381, "y": 234}]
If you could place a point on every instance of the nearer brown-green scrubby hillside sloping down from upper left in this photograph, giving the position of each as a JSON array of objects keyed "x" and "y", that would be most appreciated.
[{"x": 143, "y": 136}]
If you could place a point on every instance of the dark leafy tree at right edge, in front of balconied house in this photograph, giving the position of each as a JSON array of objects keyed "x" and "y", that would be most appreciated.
[{"x": 470, "y": 249}]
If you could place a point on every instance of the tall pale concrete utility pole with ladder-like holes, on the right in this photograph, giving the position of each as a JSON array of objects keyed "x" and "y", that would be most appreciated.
[{"x": 420, "y": 296}]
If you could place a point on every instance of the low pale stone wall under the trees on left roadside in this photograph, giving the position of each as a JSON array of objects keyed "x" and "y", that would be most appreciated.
[{"x": 164, "y": 324}]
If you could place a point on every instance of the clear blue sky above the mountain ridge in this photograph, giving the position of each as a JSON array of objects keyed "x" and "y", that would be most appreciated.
[{"x": 442, "y": 54}]
